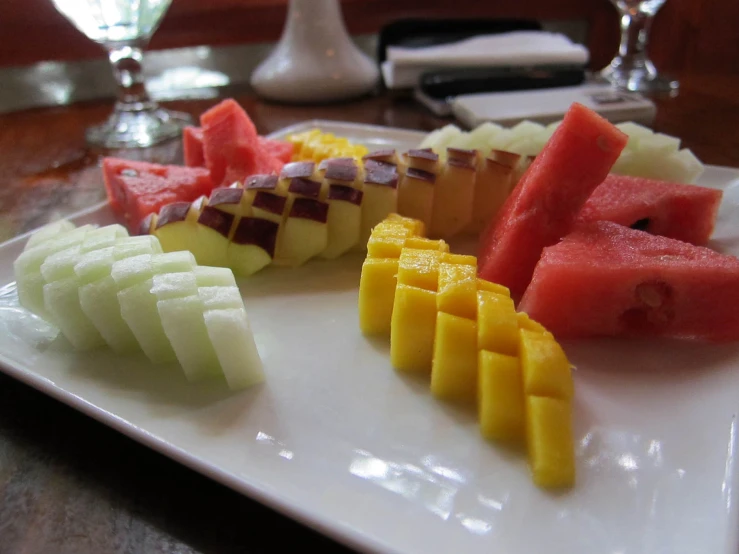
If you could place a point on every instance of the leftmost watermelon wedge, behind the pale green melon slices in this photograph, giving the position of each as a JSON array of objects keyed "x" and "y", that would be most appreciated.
[{"x": 137, "y": 189}]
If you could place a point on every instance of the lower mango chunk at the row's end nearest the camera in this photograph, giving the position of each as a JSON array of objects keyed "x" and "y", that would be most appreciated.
[{"x": 550, "y": 441}]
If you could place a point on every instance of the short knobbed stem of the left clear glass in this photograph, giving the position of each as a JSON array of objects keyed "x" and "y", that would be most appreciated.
[{"x": 128, "y": 71}]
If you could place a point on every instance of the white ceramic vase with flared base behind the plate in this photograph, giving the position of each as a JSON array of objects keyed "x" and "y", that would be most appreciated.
[{"x": 315, "y": 59}]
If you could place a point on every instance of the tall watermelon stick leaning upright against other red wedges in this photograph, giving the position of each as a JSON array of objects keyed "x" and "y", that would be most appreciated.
[{"x": 544, "y": 204}]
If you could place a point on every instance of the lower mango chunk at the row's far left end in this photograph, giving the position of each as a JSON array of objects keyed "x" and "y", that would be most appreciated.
[{"x": 377, "y": 295}]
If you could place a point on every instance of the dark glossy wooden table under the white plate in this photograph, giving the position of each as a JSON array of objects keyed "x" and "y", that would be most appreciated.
[{"x": 70, "y": 485}]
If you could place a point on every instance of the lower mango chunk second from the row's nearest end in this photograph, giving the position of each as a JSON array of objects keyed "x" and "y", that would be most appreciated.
[{"x": 501, "y": 405}]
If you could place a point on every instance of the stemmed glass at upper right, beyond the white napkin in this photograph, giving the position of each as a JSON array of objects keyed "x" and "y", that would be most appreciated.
[{"x": 631, "y": 69}]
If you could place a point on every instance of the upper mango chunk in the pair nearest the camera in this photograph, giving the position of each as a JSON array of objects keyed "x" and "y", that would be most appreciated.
[{"x": 546, "y": 369}]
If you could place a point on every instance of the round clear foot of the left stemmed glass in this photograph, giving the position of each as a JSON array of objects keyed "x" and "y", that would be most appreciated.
[{"x": 138, "y": 129}]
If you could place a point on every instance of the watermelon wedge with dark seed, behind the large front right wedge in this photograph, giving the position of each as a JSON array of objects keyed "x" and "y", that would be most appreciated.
[{"x": 683, "y": 212}]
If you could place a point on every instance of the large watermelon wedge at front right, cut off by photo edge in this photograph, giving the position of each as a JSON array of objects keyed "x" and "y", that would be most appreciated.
[{"x": 605, "y": 279}]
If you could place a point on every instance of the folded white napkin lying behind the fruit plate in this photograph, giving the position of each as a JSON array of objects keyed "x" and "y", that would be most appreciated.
[{"x": 404, "y": 66}]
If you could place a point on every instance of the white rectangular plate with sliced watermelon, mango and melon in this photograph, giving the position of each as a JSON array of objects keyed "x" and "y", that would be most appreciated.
[{"x": 353, "y": 265}]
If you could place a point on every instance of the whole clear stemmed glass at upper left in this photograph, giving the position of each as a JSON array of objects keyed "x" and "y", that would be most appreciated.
[{"x": 123, "y": 28}]
